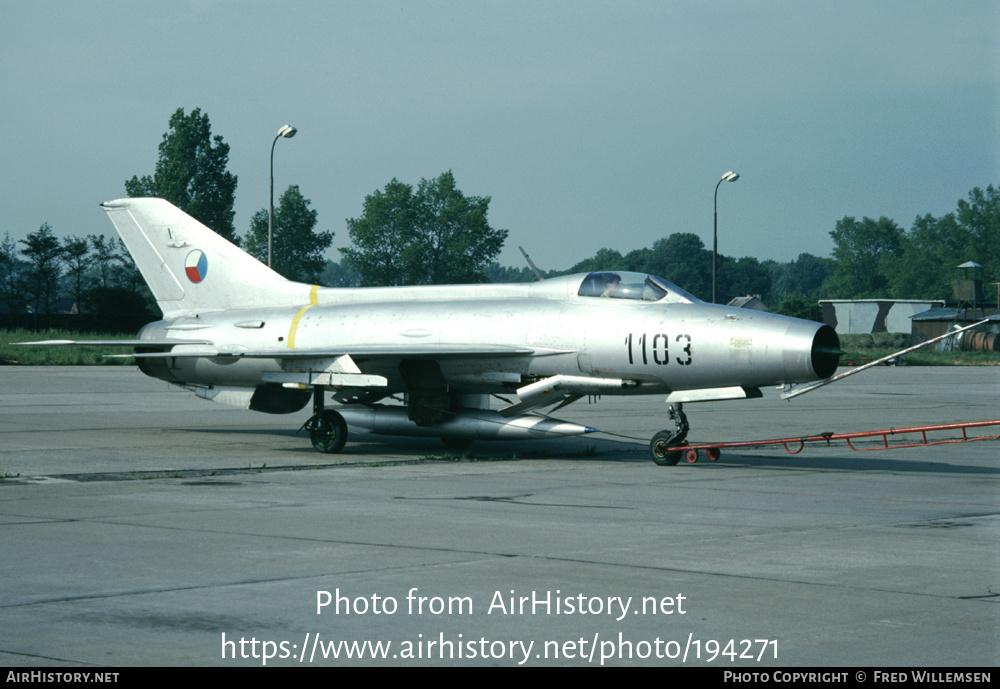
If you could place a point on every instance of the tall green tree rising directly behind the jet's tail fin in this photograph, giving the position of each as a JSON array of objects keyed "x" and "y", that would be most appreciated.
[{"x": 191, "y": 173}]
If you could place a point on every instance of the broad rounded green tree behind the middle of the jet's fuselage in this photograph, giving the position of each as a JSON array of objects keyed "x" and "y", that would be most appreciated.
[{"x": 436, "y": 235}]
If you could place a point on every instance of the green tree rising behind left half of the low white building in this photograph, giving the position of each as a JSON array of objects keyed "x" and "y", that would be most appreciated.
[{"x": 861, "y": 252}]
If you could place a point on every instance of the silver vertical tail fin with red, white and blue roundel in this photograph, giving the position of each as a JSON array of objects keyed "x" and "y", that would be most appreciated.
[{"x": 189, "y": 267}]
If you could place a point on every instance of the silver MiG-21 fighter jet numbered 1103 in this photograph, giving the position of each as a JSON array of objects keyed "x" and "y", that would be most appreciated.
[{"x": 234, "y": 331}]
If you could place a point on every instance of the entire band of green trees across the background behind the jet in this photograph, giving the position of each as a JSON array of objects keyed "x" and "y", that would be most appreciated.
[{"x": 432, "y": 233}]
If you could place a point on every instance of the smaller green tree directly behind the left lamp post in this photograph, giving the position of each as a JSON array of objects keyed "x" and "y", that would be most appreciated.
[{"x": 298, "y": 249}]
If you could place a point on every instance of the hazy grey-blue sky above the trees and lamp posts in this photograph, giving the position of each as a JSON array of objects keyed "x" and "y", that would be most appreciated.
[{"x": 589, "y": 124}]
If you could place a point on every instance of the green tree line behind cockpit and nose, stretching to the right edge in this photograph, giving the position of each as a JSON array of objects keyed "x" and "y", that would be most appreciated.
[{"x": 871, "y": 259}]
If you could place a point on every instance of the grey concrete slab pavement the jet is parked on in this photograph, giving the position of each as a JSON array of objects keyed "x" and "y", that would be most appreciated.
[{"x": 143, "y": 526}]
